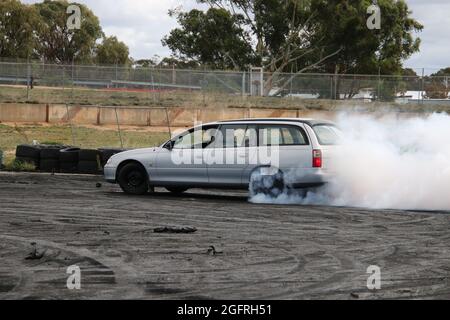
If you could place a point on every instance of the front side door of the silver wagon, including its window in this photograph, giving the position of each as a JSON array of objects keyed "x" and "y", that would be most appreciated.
[{"x": 182, "y": 161}]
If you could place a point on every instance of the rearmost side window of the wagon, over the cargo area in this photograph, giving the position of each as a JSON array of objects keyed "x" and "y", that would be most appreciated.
[{"x": 280, "y": 135}]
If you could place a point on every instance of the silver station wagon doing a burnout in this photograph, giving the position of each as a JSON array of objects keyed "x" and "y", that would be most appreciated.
[{"x": 265, "y": 156}]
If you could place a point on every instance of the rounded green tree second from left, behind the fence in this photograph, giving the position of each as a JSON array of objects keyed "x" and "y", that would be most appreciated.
[{"x": 59, "y": 44}]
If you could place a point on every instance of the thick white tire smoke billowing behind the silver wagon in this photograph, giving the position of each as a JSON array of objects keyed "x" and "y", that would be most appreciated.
[{"x": 389, "y": 162}]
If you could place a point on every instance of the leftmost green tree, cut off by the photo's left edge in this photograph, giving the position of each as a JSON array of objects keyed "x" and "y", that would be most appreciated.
[{"x": 17, "y": 23}]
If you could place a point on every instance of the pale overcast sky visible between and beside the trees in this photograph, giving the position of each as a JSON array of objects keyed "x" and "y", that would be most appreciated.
[{"x": 141, "y": 24}]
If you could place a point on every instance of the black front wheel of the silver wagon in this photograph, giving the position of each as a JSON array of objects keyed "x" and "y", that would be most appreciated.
[{"x": 133, "y": 179}]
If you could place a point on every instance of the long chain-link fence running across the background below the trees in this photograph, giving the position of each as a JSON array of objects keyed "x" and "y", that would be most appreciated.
[{"x": 136, "y": 86}]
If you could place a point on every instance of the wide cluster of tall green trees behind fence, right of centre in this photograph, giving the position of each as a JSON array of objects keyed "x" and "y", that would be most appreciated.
[{"x": 302, "y": 35}]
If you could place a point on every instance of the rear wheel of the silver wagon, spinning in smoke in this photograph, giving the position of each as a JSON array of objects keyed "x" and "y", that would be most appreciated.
[{"x": 269, "y": 185}]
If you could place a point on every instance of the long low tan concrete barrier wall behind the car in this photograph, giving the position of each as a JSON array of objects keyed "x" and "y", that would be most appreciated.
[{"x": 140, "y": 116}]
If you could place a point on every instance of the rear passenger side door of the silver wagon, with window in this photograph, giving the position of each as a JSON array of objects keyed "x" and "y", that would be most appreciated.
[{"x": 230, "y": 155}]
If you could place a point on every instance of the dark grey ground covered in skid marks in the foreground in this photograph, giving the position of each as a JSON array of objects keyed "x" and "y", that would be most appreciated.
[{"x": 261, "y": 251}]
